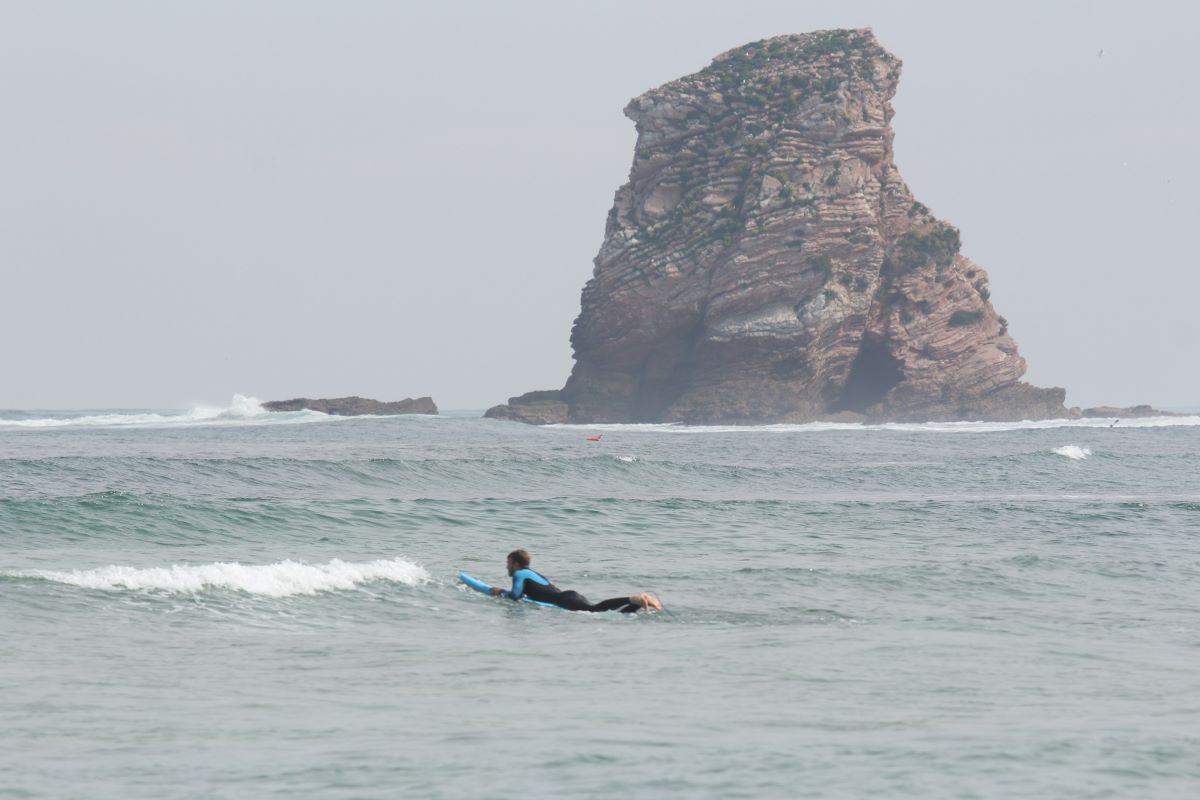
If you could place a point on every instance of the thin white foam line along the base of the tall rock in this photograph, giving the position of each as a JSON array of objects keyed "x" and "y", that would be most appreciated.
[{"x": 908, "y": 428}]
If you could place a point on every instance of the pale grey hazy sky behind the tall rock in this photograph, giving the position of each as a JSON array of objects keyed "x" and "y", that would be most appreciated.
[{"x": 397, "y": 200}]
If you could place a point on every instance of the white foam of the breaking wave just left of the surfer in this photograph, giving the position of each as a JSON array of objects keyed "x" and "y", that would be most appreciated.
[{"x": 280, "y": 580}]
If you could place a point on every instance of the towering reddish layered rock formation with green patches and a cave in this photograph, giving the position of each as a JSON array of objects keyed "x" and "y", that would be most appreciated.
[{"x": 766, "y": 262}]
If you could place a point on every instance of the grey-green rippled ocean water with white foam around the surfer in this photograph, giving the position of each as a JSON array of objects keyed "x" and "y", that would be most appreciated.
[{"x": 231, "y": 604}]
